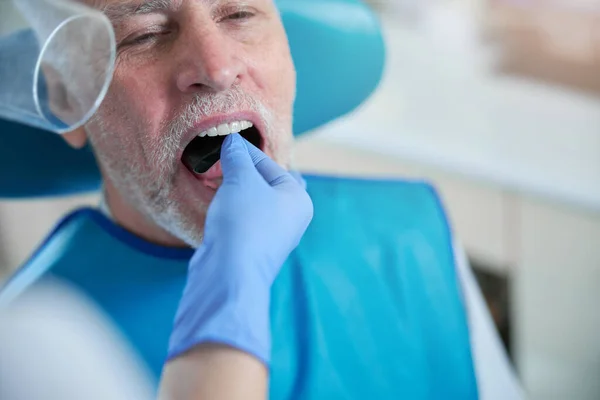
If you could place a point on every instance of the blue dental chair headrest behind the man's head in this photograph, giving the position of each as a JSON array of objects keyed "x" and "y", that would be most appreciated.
[{"x": 338, "y": 50}]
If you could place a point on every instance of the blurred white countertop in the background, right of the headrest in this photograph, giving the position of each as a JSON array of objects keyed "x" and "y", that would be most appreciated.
[{"x": 440, "y": 105}]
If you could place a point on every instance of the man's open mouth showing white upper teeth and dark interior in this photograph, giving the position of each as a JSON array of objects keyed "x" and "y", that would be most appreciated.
[{"x": 205, "y": 150}]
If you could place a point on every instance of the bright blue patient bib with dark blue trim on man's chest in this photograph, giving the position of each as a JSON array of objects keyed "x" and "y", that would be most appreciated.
[{"x": 367, "y": 307}]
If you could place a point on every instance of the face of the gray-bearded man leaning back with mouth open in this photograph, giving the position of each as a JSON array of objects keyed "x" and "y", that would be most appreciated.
[{"x": 184, "y": 67}]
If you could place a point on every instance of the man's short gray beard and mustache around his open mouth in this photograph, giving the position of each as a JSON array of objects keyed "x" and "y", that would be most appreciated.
[{"x": 148, "y": 191}]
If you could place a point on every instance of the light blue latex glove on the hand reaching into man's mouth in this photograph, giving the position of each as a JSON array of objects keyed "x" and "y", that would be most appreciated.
[{"x": 255, "y": 220}]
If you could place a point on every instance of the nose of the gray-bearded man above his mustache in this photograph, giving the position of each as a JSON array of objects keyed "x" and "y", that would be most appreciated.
[{"x": 208, "y": 61}]
